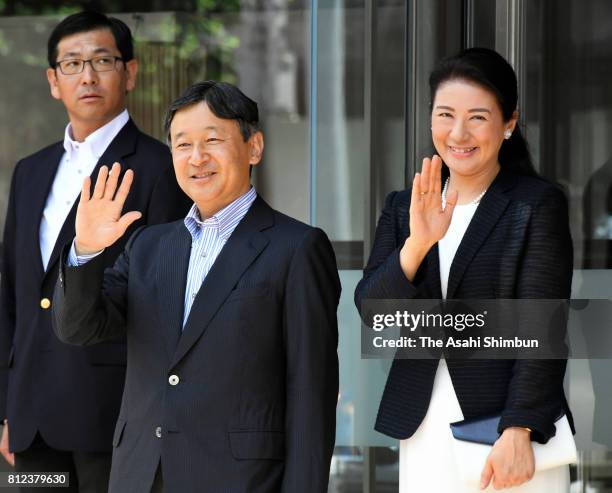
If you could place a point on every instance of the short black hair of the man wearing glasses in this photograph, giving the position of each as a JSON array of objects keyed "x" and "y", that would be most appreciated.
[{"x": 90, "y": 21}]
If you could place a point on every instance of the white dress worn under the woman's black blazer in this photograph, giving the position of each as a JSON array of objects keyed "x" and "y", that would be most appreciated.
[{"x": 426, "y": 459}]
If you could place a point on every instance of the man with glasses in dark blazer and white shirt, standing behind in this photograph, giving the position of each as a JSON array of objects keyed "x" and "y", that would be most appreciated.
[{"x": 61, "y": 402}]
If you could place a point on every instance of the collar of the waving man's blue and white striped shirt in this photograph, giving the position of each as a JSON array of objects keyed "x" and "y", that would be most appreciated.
[{"x": 225, "y": 220}]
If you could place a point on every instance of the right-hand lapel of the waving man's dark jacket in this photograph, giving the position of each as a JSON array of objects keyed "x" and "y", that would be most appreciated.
[{"x": 242, "y": 248}]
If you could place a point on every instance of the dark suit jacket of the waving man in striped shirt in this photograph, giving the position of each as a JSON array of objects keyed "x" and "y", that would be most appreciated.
[{"x": 244, "y": 398}]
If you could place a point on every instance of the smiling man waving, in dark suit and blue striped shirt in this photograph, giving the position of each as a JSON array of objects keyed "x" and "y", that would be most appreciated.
[{"x": 230, "y": 314}]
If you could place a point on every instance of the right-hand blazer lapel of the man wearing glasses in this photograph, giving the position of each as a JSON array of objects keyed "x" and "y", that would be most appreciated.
[{"x": 124, "y": 144}]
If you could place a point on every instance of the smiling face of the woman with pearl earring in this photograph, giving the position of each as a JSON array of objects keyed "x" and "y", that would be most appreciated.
[{"x": 467, "y": 127}]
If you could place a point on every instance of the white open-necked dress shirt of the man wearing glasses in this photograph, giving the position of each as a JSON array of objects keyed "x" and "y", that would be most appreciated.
[{"x": 78, "y": 162}]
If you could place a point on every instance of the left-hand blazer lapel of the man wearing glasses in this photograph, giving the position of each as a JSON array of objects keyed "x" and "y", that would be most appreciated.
[{"x": 39, "y": 191}]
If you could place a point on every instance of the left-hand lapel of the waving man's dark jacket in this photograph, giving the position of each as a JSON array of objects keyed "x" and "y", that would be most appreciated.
[{"x": 171, "y": 282}]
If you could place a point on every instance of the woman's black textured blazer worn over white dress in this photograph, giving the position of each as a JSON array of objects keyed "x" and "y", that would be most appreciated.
[{"x": 518, "y": 245}]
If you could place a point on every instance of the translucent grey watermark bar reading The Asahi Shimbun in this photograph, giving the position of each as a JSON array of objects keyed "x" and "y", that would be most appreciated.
[{"x": 486, "y": 329}]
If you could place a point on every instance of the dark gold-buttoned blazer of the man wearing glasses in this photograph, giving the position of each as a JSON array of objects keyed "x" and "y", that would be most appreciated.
[{"x": 70, "y": 395}]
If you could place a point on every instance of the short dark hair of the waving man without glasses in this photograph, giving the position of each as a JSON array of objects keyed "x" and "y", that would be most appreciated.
[{"x": 224, "y": 100}]
